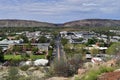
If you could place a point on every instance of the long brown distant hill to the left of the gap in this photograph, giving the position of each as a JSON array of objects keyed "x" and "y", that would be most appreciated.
[{"x": 24, "y": 23}]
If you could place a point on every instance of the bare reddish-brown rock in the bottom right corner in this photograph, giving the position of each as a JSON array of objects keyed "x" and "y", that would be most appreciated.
[{"x": 110, "y": 76}]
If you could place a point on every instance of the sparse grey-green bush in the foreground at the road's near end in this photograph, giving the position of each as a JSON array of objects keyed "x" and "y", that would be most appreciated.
[{"x": 60, "y": 68}]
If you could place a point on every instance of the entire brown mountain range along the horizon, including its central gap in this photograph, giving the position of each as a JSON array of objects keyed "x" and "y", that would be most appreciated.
[{"x": 85, "y": 22}]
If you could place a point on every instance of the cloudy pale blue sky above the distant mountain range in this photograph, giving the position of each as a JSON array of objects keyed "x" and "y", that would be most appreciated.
[{"x": 59, "y": 11}]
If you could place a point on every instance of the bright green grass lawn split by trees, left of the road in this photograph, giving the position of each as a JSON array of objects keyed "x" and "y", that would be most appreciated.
[{"x": 18, "y": 57}]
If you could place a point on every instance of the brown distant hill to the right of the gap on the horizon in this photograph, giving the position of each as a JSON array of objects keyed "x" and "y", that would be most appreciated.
[{"x": 93, "y": 23}]
